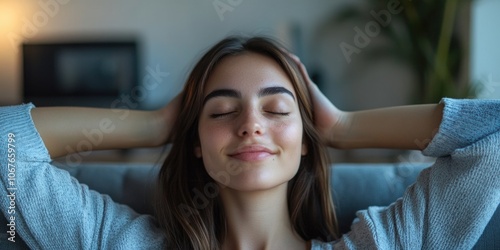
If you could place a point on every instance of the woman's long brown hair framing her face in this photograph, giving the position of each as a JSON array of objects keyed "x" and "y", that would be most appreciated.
[{"x": 188, "y": 206}]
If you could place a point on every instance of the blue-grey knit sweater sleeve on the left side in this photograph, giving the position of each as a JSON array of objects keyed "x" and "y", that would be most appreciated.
[{"x": 49, "y": 208}]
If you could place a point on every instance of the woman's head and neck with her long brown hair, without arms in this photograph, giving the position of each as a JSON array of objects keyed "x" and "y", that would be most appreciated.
[{"x": 247, "y": 124}]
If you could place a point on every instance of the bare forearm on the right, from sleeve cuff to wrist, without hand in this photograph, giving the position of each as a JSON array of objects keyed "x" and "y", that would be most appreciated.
[{"x": 404, "y": 127}]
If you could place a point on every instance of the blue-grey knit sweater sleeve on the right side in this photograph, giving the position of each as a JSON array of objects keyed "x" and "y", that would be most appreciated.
[{"x": 451, "y": 202}]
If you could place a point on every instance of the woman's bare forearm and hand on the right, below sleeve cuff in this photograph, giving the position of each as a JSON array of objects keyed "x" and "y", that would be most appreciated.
[{"x": 405, "y": 127}]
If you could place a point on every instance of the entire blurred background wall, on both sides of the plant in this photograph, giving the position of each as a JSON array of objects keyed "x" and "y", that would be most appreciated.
[{"x": 174, "y": 34}]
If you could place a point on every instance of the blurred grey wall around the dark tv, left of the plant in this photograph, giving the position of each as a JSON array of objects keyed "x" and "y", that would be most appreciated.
[{"x": 173, "y": 34}]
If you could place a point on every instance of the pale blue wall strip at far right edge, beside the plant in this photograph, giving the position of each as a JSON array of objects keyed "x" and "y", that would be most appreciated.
[{"x": 485, "y": 51}]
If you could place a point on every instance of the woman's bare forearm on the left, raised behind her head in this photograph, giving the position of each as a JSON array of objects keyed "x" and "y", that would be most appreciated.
[{"x": 66, "y": 130}]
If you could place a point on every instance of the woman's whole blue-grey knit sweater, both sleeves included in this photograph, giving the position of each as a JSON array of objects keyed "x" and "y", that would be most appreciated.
[{"x": 447, "y": 208}]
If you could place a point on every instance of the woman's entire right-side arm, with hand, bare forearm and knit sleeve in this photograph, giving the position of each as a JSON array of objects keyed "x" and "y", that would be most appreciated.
[{"x": 450, "y": 204}]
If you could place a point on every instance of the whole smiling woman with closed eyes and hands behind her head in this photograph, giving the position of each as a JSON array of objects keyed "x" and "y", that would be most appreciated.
[{"x": 246, "y": 129}]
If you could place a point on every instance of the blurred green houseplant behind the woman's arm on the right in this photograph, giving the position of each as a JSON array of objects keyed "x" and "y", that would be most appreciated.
[{"x": 431, "y": 36}]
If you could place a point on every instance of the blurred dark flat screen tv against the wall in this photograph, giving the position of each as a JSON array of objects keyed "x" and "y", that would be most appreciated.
[{"x": 92, "y": 74}]
